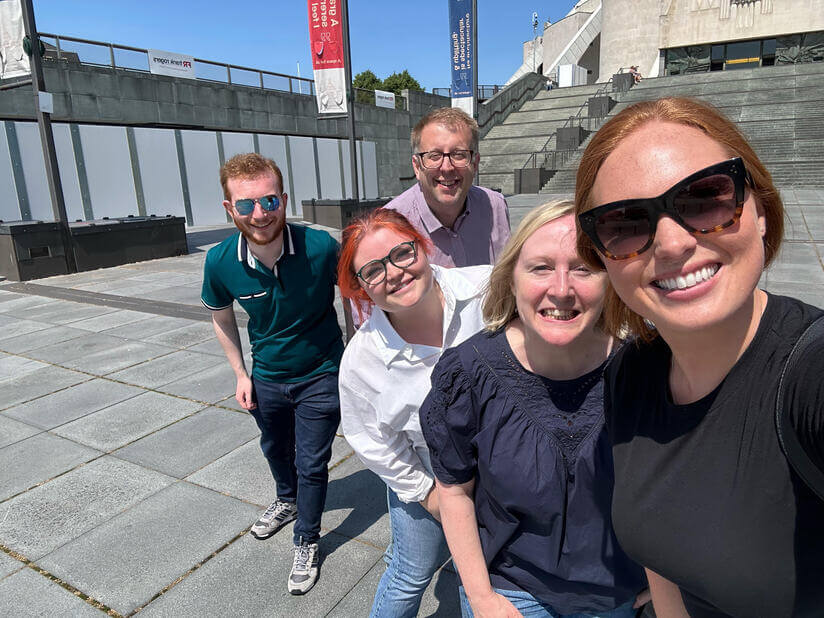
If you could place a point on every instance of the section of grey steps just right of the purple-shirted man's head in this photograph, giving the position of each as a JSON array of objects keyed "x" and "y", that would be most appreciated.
[{"x": 508, "y": 146}]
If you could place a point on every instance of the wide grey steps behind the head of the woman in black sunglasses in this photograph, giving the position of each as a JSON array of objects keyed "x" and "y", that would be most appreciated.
[{"x": 779, "y": 109}]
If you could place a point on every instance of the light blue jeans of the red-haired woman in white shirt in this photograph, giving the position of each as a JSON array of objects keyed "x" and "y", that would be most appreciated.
[{"x": 418, "y": 549}]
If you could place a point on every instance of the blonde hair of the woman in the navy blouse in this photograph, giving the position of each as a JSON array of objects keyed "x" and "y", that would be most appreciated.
[{"x": 499, "y": 301}]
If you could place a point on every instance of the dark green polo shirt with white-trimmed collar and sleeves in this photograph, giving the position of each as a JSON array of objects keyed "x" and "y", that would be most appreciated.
[{"x": 293, "y": 327}]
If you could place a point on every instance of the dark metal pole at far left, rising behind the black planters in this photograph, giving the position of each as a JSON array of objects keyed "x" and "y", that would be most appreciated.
[{"x": 47, "y": 136}]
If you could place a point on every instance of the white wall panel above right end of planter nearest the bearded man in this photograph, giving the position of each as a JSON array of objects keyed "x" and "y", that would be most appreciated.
[{"x": 159, "y": 171}]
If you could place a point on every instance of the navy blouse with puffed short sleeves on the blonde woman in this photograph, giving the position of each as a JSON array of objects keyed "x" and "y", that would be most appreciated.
[{"x": 540, "y": 455}]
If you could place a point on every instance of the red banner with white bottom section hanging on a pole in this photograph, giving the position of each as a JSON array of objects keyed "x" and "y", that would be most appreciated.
[{"x": 326, "y": 40}]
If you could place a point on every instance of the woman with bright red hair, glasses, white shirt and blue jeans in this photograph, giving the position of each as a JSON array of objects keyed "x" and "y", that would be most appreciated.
[{"x": 418, "y": 310}]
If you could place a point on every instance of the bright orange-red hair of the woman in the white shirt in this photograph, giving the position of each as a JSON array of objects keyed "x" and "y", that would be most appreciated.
[{"x": 355, "y": 232}]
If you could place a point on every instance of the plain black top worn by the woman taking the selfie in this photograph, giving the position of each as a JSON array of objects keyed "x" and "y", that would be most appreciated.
[{"x": 703, "y": 494}]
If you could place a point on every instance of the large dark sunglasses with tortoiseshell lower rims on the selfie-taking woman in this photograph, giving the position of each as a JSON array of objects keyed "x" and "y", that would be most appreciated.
[{"x": 707, "y": 201}]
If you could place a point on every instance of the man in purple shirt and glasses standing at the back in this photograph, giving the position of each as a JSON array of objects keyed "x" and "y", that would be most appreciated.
[{"x": 468, "y": 225}]
